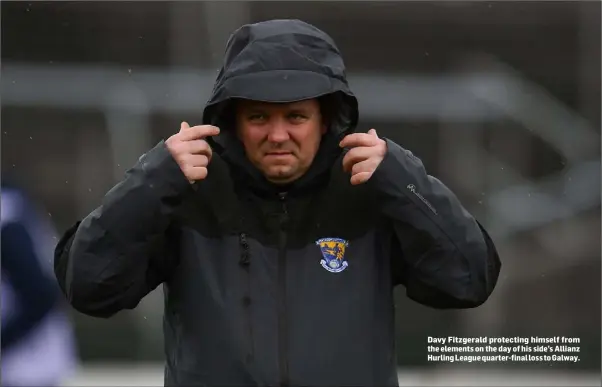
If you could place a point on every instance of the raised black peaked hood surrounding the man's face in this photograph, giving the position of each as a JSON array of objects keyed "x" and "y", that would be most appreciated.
[{"x": 280, "y": 61}]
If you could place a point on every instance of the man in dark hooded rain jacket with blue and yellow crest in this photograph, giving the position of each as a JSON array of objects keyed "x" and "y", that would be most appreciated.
[{"x": 277, "y": 232}]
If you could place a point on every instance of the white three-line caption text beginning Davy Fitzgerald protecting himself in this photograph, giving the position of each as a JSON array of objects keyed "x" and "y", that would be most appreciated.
[{"x": 502, "y": 349}]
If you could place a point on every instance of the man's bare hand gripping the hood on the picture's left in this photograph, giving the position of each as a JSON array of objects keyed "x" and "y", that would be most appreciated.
[{"x": 190, "y": 150}]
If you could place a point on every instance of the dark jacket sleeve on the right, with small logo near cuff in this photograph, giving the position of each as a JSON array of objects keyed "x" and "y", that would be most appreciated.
[{"x": 442, "y": 255}]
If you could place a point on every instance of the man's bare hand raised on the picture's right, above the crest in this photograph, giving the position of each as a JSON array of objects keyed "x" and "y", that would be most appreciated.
[{"x": 366, "y": 152}]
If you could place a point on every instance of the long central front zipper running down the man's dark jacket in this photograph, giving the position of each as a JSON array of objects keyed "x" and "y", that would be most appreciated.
[{"x": 282, "y": 315}]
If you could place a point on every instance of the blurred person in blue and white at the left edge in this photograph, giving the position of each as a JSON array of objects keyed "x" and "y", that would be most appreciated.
[{"x": 37, "y": 343}]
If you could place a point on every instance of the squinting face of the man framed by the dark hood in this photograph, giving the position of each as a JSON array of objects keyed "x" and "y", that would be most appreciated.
[{"x": 280, "y": 139}]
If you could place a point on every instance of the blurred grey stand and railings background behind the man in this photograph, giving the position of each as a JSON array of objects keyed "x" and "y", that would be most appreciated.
[{"x": 501, "y": 101}]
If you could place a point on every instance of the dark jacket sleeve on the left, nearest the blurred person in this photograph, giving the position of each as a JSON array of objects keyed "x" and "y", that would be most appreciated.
[{"x": 117, "y": 254}]
